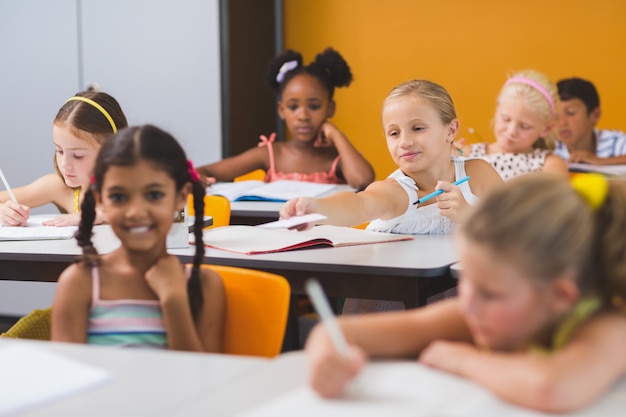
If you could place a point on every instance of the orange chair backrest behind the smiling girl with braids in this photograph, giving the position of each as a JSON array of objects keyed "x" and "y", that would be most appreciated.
[{"x": 257, "y": 305}]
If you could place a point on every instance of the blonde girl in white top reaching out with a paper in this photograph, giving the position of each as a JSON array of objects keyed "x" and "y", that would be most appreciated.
[{"x": 420, "y": 124}]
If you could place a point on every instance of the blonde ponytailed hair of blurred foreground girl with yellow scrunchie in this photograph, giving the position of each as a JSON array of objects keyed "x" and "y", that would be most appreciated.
[{"x": 543, "y": 226}]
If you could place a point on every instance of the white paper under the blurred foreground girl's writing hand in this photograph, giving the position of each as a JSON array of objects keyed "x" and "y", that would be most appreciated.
[{"x": 395, "y": 389}]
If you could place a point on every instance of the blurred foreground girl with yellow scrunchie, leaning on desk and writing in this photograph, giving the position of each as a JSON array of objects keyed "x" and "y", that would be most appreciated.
[{"x": 540, "y": 319}]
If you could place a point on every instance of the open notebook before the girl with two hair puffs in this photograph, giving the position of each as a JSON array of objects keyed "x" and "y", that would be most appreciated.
[{"x": 278, "y": 191}]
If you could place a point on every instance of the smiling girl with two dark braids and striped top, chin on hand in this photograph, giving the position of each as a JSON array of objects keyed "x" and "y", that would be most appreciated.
[{"x": 139, "y": 295}]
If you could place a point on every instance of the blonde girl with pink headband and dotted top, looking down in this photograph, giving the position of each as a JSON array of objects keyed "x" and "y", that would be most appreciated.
[{"x": 523, "y": 128}]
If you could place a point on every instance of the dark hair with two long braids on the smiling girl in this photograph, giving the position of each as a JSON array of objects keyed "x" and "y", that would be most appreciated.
[{"x": 126, "y": 148}]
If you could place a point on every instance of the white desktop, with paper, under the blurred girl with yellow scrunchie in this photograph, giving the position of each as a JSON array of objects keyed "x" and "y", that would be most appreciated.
[{"x": 384, "y": 388}]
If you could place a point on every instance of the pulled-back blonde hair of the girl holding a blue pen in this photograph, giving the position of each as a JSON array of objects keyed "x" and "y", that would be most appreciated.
[{"x": 435, "y": 94}]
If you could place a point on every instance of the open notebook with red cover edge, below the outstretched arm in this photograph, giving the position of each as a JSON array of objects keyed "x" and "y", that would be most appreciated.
[{"x": 252, "y": 240}]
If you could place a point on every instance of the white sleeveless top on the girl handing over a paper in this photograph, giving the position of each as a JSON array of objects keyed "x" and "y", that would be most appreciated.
[{"x": 422, "y": 220}]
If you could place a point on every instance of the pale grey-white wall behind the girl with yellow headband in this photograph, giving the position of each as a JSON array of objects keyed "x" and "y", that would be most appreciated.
[{"x": 159, "y": 58}]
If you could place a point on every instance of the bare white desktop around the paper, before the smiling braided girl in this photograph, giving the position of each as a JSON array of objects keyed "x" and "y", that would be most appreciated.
[{"x": 143, "y": 382}]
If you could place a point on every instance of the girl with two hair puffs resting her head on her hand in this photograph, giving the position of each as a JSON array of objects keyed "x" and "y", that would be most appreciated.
[{"x": 318, "y": 151}]
